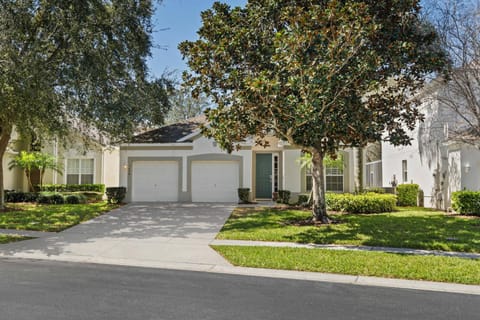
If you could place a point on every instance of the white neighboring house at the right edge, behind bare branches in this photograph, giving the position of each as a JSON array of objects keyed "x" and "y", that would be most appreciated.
[{"x": 434, "y": 160}]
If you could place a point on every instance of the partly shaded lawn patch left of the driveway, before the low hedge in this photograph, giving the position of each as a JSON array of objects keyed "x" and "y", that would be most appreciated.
[{"x": 52, "y": 218}]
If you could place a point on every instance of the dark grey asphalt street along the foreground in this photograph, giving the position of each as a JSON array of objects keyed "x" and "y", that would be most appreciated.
[{"x": 59, "y": 290}]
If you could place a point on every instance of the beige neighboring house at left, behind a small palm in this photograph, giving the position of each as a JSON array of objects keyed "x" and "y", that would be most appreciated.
[{"x": 80, "y": 165}]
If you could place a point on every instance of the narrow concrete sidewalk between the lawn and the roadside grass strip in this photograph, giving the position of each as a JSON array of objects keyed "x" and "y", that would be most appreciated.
[{"x": 344, "y": 247}]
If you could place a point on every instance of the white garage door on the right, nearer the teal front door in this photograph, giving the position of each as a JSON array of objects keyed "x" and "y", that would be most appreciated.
[{"x": 215, "y": 181}]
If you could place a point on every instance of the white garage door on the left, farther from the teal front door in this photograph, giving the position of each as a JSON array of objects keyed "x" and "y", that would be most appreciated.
[{"x": 155, "y": 181}]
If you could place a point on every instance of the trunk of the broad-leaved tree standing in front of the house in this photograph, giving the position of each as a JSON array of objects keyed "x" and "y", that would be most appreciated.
[{"x": 319, "y": 208}]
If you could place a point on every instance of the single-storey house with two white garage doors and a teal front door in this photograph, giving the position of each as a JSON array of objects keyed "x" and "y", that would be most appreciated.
[{"x": 177, "y": 163}]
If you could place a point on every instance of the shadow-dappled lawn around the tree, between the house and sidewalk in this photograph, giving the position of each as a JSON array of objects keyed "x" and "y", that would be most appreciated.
[{"x": 416, "y": 228}]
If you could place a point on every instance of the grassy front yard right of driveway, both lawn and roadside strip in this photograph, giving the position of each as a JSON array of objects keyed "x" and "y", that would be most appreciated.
[{"x": 408, "y": 228}]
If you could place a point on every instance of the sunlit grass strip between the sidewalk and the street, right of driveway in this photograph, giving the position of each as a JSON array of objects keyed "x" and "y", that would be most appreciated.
[{"x": 378, "y": 264}]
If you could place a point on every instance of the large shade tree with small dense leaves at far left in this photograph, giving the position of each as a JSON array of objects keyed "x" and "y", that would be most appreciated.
[{"x": 81, "y": 64}]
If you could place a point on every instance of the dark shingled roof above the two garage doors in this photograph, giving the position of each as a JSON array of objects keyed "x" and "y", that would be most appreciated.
[{"x": 171, "y": 133}]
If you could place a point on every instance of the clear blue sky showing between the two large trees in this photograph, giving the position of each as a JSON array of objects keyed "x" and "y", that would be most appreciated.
[{"x": 174, "y": 22}]
